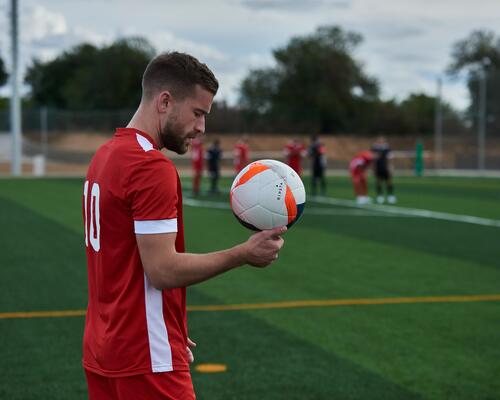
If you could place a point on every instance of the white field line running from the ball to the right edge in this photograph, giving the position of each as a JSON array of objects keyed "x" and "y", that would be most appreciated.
[{"x": 413, "y": 212}]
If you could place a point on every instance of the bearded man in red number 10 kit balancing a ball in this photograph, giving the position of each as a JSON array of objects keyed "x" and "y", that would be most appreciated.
[{"x": 135, "y": 343}]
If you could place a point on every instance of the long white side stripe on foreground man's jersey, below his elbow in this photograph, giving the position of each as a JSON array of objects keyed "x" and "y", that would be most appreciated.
[{"x": 159, "y": 347}]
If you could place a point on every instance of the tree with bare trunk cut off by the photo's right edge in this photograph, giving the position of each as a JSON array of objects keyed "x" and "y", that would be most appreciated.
[{"x": 479, "y": 54}]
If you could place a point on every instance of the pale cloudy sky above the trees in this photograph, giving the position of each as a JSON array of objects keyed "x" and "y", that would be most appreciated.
[{"x": 407, "y": 43}]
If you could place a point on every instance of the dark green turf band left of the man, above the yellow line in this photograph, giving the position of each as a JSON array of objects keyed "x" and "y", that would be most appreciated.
[{"x": 43, "y": 262}]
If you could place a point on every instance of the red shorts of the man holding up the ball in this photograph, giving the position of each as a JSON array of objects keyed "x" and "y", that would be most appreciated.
[{"x": 176, "y": 385}]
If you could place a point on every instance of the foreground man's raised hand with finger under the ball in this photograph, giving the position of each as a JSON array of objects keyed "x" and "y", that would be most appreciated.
[{"x": 262, "y": 248}]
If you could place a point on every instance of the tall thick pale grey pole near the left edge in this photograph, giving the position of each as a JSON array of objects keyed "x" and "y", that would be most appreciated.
[{"x": 15, "y": 102}]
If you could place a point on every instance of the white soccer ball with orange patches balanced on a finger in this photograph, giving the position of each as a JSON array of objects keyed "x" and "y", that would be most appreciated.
[{"x": 267, "y": 194}]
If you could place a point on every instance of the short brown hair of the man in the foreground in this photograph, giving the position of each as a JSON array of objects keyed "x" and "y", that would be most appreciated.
[{"x": 178, "y": 73}]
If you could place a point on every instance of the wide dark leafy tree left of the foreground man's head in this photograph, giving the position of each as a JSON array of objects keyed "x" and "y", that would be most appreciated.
[{"x": 87, "y": 77}]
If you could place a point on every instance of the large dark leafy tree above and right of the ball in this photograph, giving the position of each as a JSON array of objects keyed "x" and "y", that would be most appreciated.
[{"x": 315, "y": 86}]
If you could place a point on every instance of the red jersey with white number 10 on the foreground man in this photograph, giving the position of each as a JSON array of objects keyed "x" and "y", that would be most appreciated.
[{"x": 131, "y": 327}]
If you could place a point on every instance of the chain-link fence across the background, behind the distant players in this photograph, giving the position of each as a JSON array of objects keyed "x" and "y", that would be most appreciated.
[{"x": 66, "y": 141}]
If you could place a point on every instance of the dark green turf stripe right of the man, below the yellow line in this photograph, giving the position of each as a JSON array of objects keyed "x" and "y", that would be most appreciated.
[{"x": 268, "y": 363}]
